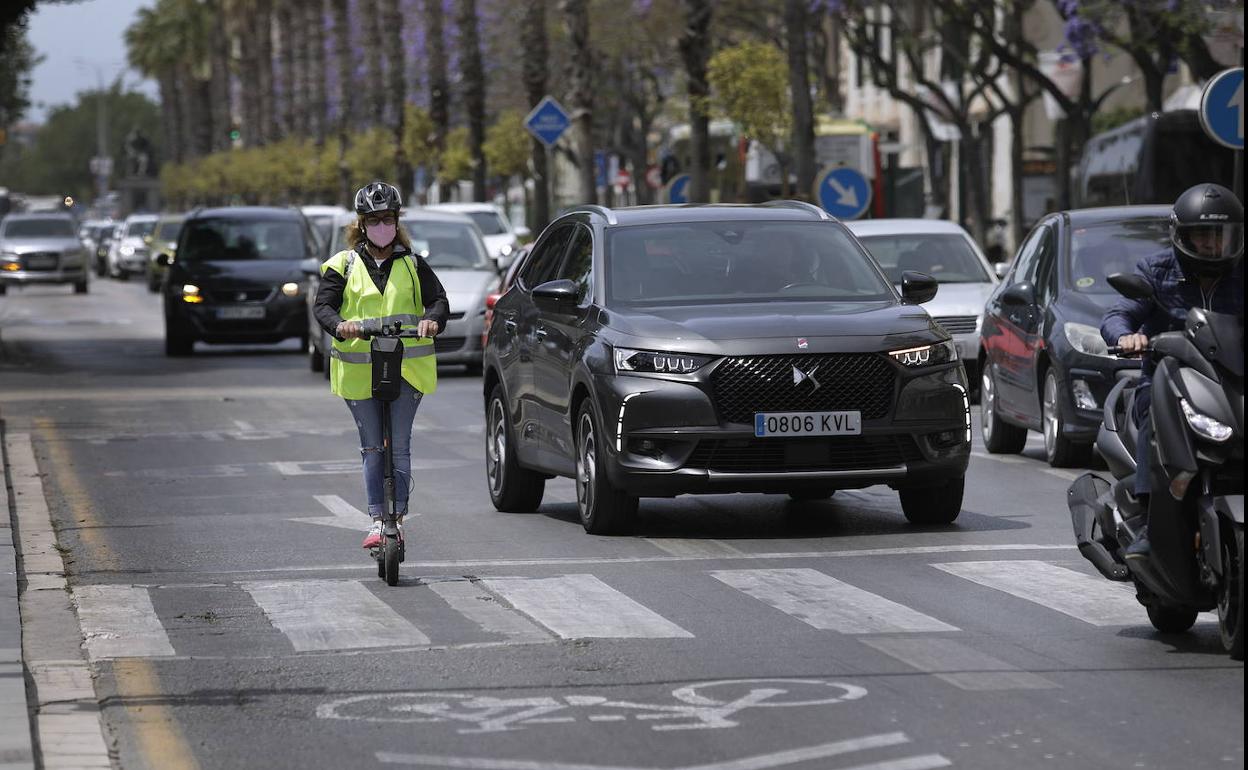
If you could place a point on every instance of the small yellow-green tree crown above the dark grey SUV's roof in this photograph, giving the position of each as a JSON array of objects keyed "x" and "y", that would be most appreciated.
[{"x": 751, "y": 84}]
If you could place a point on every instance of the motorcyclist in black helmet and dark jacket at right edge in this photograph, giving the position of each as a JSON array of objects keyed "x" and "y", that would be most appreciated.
[{"x": 1202, "y": 269}]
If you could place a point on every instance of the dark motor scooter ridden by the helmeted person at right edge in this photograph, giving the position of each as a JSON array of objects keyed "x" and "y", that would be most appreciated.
[{"x": 1196, "y": 511}]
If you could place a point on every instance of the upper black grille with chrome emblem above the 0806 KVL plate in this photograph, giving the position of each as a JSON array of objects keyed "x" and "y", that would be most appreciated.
[{"x": 859, "y": 383}]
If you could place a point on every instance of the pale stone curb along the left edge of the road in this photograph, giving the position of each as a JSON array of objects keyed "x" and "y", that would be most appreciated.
[{"x": 64, "y": 712}]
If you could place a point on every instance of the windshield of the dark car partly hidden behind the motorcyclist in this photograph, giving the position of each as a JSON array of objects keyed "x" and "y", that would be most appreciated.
[{"x": 1101, "y": 250}]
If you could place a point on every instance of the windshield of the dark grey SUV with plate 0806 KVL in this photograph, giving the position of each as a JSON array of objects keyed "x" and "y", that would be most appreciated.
[{"x": 731, "y": 263}]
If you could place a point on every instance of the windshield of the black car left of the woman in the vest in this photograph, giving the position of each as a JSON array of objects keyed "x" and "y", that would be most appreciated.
[{"x": 220, "y": 239}]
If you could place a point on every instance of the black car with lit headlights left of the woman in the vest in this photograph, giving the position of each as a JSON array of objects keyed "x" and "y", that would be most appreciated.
[{"x": 236, "y": 278}]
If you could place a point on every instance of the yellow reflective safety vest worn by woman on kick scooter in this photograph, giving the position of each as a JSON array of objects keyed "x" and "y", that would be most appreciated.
[{"x": 351, "y": 373}]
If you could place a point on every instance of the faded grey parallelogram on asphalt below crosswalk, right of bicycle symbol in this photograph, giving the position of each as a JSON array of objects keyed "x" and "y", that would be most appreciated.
[{"x": 959, "y": 665}]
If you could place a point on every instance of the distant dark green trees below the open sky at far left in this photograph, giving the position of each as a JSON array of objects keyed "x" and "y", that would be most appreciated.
[{"x": 58, "y": 162}]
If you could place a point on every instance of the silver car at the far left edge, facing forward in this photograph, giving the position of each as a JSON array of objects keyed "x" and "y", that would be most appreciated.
[{"x": 42, "y": 249}]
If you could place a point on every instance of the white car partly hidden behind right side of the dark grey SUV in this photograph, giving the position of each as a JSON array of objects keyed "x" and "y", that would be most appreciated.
[{"x": 947, "y": 253}]
